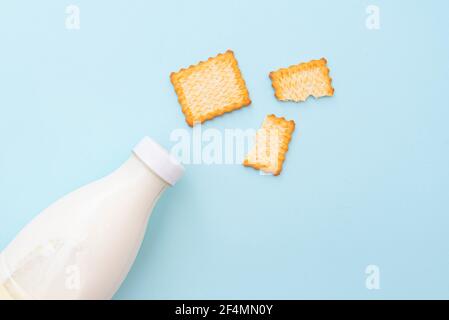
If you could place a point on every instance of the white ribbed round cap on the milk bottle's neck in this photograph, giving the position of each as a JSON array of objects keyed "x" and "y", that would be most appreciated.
[{"x": 159, "y": 160}]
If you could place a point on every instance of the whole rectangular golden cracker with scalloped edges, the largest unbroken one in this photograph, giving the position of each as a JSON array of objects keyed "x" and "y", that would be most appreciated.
[{"x": 210, "y": 88}]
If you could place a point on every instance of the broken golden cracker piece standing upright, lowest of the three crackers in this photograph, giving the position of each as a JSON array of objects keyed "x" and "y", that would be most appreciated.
[{"x": 271, "y": 145}]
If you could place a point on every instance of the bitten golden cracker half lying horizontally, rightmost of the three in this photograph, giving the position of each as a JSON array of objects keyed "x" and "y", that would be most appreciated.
[{"x": 298, "y": 82}]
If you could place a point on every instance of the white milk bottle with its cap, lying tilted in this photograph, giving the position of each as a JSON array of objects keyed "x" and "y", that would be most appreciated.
[{"x": 83, "y": 245}]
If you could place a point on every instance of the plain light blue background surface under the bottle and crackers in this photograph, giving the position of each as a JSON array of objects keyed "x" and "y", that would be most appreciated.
[{"x": 366, "y": 180}]
